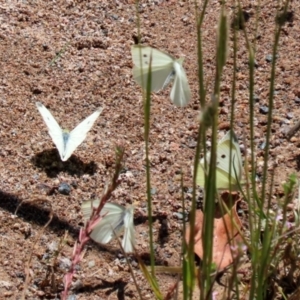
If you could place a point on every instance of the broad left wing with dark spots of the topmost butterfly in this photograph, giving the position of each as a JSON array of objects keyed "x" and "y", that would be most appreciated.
[{"x": 161, "y": 67}]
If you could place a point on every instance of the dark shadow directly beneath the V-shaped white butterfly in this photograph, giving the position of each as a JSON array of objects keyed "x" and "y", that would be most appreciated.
[{"x": 50, "y": 162}]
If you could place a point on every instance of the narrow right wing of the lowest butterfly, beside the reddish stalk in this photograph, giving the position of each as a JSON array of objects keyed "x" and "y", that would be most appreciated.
[{"x": 128, "y": 241}]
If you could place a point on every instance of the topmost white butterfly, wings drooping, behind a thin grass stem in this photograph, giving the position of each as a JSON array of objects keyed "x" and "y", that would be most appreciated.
[{"x": 163, "y": 68}]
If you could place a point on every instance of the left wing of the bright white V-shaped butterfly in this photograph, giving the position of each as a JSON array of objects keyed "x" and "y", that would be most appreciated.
[{"x": 54, "y": 129}]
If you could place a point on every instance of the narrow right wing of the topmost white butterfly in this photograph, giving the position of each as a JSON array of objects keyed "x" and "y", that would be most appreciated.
[{"x": 180, "y": 93}]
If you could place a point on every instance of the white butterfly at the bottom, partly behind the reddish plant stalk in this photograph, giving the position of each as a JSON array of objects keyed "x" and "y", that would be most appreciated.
[{"x": 114, "y": 218}]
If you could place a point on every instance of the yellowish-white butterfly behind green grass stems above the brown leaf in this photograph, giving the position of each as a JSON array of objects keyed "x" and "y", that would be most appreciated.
[{"x": 223, "y": 181}]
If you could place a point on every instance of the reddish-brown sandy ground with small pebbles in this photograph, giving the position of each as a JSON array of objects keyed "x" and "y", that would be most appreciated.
[{"x": 74, "y": 56}]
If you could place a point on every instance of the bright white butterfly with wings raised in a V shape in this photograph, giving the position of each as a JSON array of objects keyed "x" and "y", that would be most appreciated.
[{"x": 67, "y": 142}]
